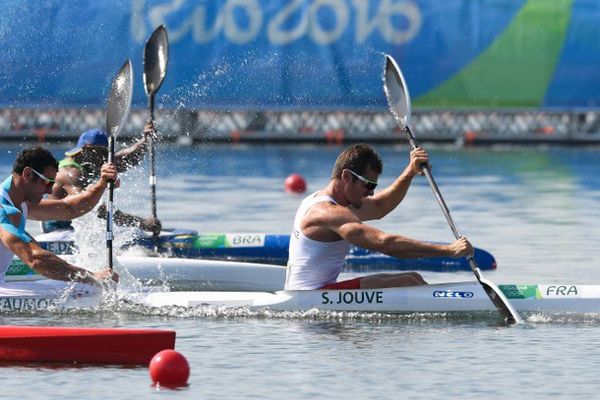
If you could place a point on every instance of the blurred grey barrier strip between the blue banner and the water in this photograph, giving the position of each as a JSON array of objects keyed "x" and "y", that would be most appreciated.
[{"x": 197, "y": 126}]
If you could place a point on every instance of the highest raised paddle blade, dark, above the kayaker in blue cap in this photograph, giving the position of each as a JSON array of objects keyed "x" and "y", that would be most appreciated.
[{"x": 156, "y": 56}]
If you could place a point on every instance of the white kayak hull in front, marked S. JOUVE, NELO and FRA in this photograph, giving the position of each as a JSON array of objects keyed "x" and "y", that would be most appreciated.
[{"x": 435, "y": 298}]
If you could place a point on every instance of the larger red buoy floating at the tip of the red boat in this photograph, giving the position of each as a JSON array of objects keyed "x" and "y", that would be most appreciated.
[{"x": 169, "y": 368}]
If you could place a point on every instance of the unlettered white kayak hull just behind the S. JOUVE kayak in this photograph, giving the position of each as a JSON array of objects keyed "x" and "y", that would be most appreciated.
[{"x": 191, "y": 274}]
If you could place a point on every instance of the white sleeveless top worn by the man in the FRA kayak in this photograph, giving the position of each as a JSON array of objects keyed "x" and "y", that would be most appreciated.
[{"x": 313, "y": 264}]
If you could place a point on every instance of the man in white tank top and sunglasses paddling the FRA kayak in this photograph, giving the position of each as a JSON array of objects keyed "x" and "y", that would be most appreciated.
[{"x": 328, "y": 221}]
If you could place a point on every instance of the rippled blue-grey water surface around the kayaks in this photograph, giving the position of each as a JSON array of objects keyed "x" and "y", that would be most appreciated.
[{"x": 535, "y": 209}]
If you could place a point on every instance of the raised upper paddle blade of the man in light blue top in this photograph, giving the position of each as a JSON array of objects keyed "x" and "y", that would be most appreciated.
[{"x": 119, "y": 101}]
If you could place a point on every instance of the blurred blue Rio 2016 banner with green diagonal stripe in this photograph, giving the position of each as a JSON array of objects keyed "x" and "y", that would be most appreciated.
[{"x": 306, "y": 54}]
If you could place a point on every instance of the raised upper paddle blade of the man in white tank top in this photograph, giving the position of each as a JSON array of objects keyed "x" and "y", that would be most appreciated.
[{"x": 396, "y": 92}]
